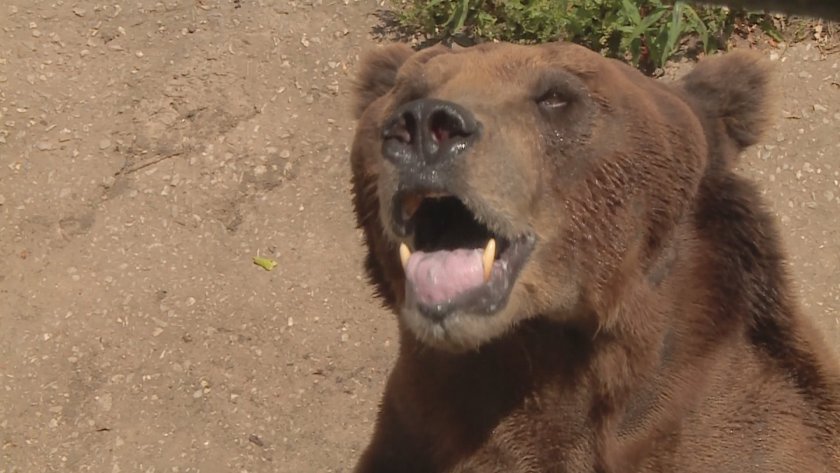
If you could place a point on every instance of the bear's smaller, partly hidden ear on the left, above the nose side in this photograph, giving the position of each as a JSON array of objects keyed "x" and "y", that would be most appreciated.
[{"x": 377, "y": 74}]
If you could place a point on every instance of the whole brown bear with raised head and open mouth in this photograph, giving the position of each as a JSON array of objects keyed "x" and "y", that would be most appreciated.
[{"x": 582, "y": 282}]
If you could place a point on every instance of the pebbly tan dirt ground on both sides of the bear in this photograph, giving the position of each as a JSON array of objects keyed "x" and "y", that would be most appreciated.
[{"x": 149, "y": 149}]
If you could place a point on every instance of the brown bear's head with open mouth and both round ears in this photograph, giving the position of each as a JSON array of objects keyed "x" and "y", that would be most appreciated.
[{"x": 501, "y": 182}]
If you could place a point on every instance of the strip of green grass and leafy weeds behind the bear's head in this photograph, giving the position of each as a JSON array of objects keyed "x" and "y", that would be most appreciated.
[{"x": 646, "y": 33}]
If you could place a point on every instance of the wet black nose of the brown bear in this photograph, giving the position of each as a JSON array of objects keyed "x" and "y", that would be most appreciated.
[{"x": 428, "y": 132}]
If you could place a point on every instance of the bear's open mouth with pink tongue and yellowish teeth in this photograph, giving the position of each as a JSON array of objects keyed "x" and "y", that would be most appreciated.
[{"x": 453, "y": 261}]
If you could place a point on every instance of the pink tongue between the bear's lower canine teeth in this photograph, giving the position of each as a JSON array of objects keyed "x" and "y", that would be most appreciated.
[{"x": 439, "y": 276}]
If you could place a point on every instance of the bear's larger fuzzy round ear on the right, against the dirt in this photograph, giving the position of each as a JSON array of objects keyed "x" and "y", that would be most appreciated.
[{"x": 737, "y": 89}]
